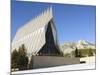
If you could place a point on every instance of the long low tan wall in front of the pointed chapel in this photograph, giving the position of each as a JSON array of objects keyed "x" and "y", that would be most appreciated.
[{"x": 52, "y": 61}]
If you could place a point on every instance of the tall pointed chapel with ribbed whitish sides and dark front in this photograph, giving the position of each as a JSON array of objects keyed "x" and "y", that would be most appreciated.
[{"x": 35, "y": 34}]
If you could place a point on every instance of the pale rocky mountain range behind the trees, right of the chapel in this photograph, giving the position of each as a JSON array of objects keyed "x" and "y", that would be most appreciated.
[{"x": 68, "y": 47}]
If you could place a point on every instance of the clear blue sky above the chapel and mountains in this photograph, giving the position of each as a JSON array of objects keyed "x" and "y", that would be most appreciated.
[{"x": 73, "y": 22}]
